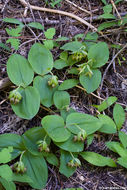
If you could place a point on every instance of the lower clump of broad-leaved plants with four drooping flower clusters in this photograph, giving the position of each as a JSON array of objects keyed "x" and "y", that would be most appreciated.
[{"x": 33, "y": 147}]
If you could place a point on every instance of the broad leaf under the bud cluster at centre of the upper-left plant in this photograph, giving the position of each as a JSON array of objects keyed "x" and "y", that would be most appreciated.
[{"x": 46, "y": 92}]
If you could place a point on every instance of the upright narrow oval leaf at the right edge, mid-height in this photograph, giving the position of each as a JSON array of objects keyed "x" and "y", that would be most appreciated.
[{"x": 119, "y": 116}]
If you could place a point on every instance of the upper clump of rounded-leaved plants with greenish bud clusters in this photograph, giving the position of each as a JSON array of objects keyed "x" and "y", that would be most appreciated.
[{"x": 84, "y": 61}]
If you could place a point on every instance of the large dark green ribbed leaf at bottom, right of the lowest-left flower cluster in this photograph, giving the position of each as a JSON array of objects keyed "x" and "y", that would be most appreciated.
[{"x": 36, "y": 169}]
